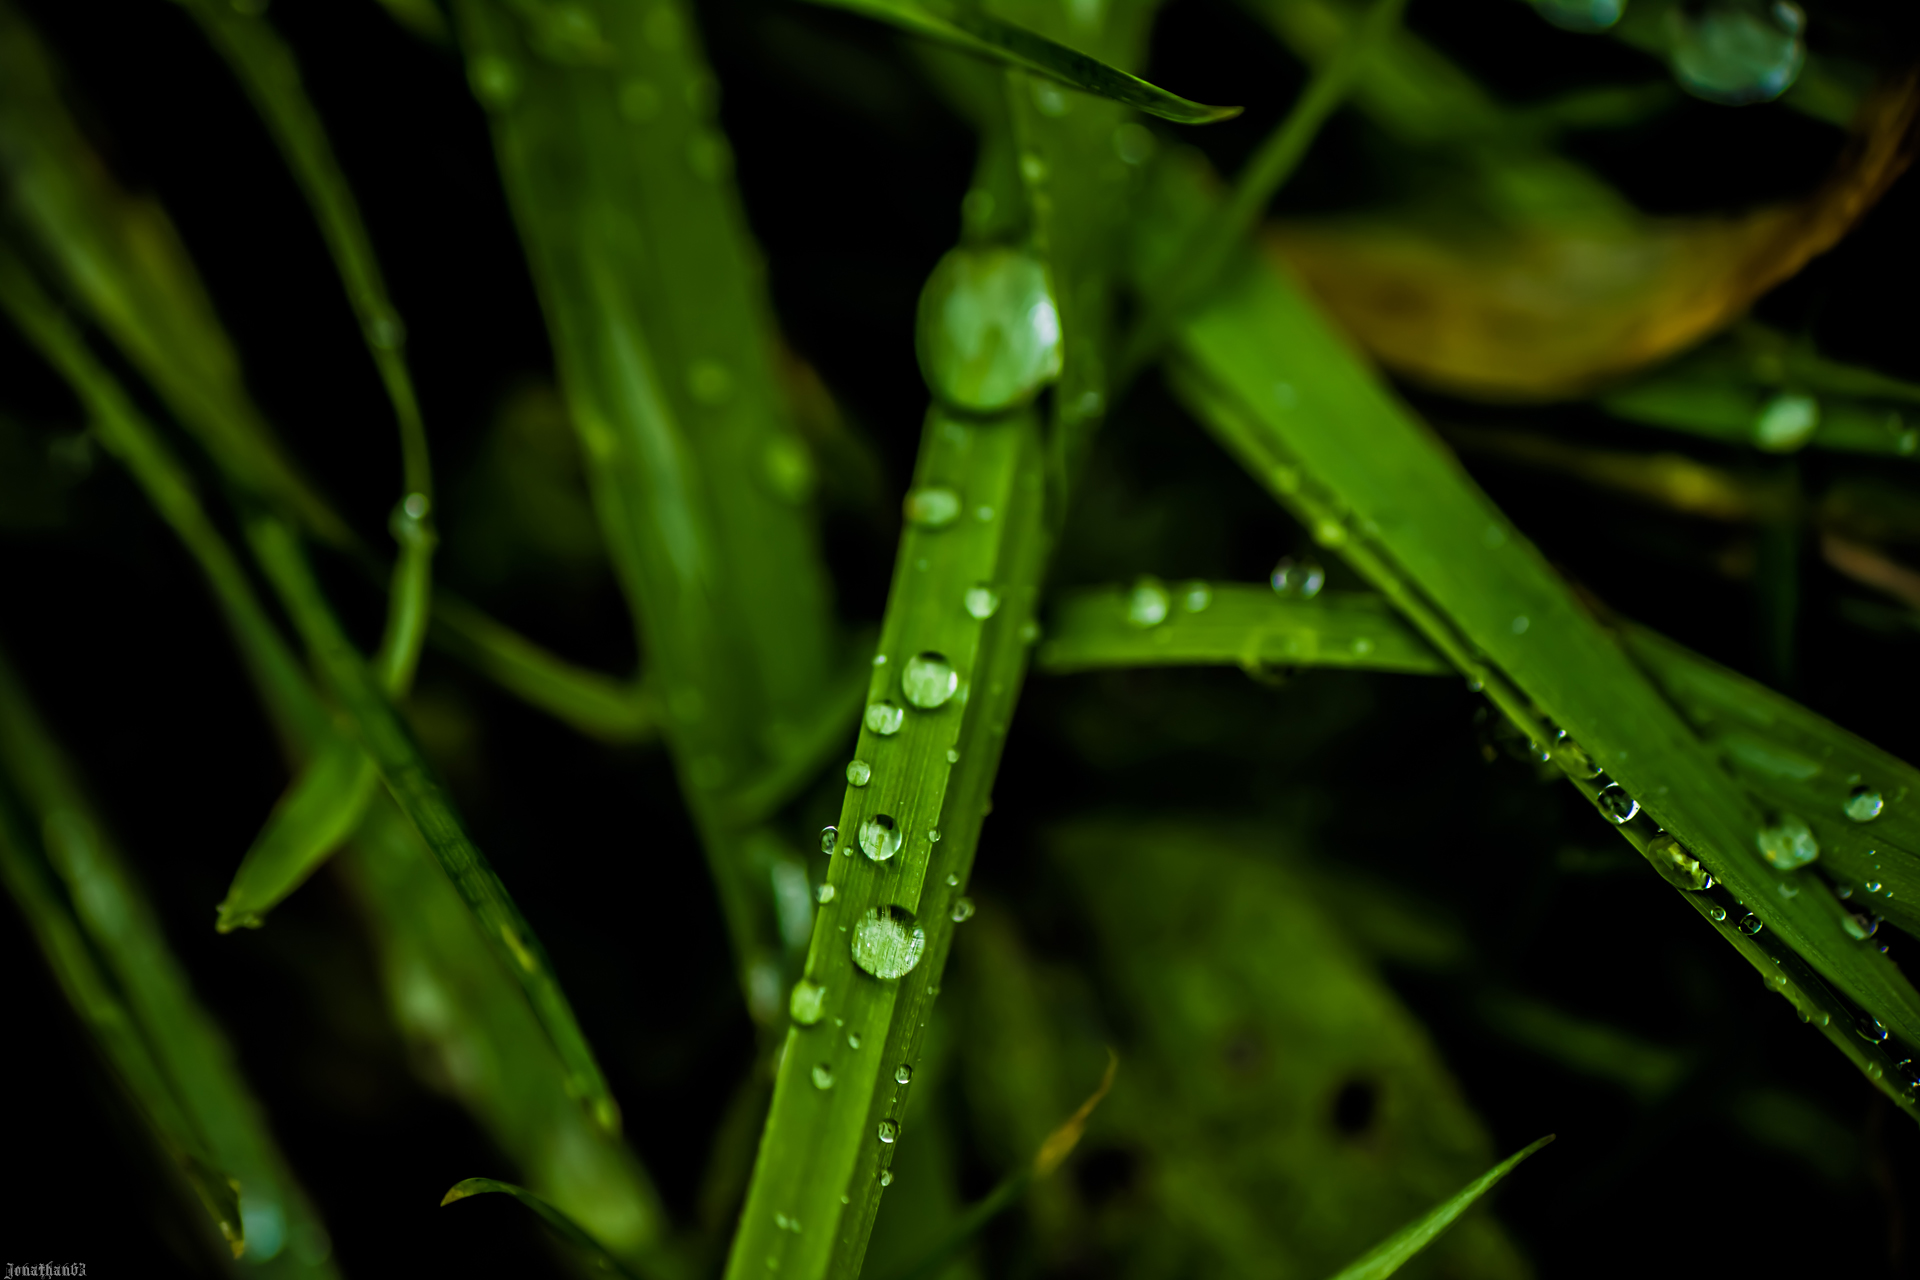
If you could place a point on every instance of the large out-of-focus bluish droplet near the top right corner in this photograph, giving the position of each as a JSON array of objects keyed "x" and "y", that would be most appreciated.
[{"x": 1737, "y": 51}]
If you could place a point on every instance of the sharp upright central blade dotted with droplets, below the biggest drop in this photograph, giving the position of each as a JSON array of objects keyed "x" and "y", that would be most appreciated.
[{"x": 821, "y": 1164}]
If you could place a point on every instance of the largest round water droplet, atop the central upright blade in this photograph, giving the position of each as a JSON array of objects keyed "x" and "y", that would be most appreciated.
[{"x": 988, "y": 331}]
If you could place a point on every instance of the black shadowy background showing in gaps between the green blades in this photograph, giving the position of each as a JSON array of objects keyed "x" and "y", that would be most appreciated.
[{"x": 853, "y": 174}]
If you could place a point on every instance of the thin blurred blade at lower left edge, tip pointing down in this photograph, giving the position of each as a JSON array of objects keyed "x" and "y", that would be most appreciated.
[{"x": 112, "y": 1028}]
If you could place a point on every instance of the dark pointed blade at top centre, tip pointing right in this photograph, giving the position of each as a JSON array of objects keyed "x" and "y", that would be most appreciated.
[{"x": 972, "y": 30}]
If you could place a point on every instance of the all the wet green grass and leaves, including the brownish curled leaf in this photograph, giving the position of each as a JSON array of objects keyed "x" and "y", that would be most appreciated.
[{"x": 1105, "y": 279}]
